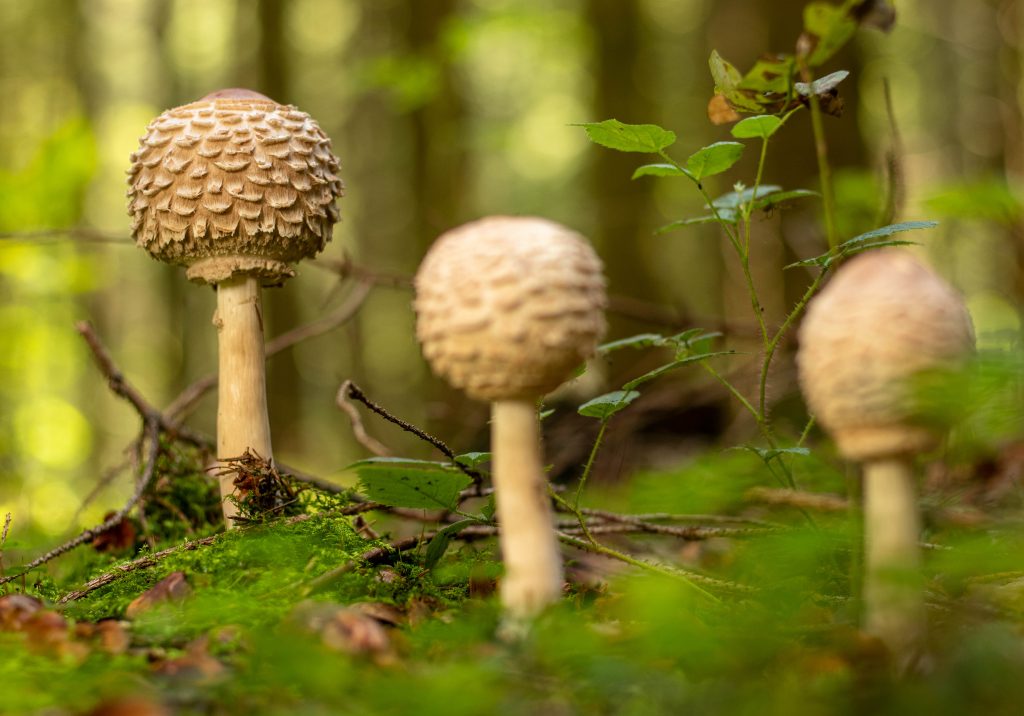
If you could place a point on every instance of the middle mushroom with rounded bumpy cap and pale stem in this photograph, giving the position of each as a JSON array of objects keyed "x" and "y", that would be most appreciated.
[{"x": 506, "y": 309}]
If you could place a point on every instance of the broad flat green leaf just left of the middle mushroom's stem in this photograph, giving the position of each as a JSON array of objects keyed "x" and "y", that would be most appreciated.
[{"x": 416, "y": 484}]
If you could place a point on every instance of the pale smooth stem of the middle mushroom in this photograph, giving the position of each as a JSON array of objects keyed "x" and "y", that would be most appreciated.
[{"x": 530, "y": 547}]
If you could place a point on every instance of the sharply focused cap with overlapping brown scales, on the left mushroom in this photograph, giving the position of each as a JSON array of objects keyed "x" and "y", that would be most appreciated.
[{"x": 234, "y": 184}]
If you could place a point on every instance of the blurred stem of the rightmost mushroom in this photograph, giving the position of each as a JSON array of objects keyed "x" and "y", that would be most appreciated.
[{"x": 893, "y": 602}]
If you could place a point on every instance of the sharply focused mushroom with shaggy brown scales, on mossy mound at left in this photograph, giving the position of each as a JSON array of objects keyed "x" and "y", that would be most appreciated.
[{"x": 237, "y": 188}]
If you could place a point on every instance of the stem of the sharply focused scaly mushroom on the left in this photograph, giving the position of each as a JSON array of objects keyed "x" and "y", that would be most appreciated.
[{"x": 242, "y": 414}]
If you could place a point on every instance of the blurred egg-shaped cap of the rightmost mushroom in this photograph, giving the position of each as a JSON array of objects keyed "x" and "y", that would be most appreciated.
[{"x": 882, "y": 320}]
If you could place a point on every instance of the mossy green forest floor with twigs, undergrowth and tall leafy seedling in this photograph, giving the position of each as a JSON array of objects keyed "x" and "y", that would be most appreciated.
[{"x": 728, "y": 584}]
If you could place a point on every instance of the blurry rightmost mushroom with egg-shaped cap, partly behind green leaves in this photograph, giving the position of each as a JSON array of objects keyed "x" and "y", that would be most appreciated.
[{"x": 883, "y": 320}]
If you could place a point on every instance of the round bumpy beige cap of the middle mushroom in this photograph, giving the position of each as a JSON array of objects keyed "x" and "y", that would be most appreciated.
[{"x": 507, "y": 308}]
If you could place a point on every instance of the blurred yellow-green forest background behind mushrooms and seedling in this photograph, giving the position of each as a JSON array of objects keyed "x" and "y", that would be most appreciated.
[{"x": 443, "y": 112}]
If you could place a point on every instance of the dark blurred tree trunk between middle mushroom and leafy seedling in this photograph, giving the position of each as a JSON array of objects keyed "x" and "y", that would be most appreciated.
[{"x": 622, "y": 207}]
